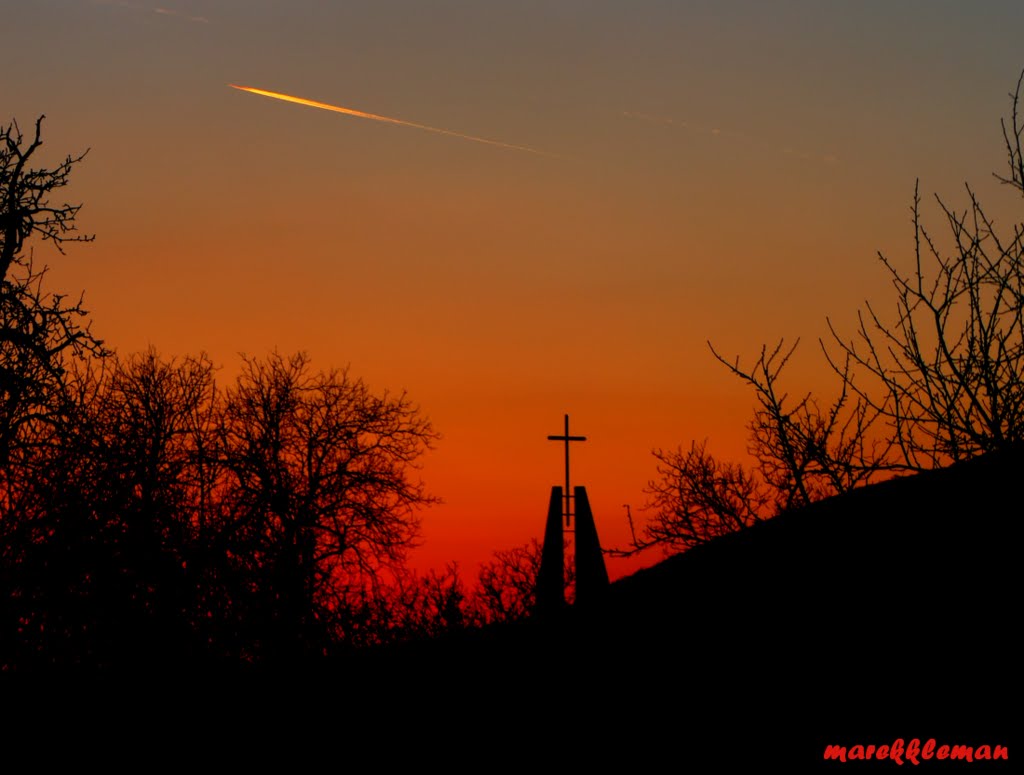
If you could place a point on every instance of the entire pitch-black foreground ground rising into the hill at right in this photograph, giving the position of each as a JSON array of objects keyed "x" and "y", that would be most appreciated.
[{"x": 891, "y": 613}]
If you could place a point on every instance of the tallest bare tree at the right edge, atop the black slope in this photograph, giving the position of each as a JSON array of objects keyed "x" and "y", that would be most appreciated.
[{"x": 947, "y": 376}]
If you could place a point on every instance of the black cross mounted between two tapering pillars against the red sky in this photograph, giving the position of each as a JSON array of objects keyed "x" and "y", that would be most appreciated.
[{"x": 591, "y": 575}]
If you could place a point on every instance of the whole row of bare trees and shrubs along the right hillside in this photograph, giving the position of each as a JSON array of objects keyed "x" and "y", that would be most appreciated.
[{"x": 943, "y": 382}]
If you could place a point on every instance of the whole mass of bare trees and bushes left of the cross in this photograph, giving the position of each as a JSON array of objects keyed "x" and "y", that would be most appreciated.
[{"x": 152, "y": 518}]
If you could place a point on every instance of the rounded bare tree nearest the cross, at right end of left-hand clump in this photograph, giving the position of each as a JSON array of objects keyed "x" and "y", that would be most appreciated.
[{"x": 320, "y": 488}]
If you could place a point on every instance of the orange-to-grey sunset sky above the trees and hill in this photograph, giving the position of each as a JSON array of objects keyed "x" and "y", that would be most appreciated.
[{"x": 719, "y": 170}]
